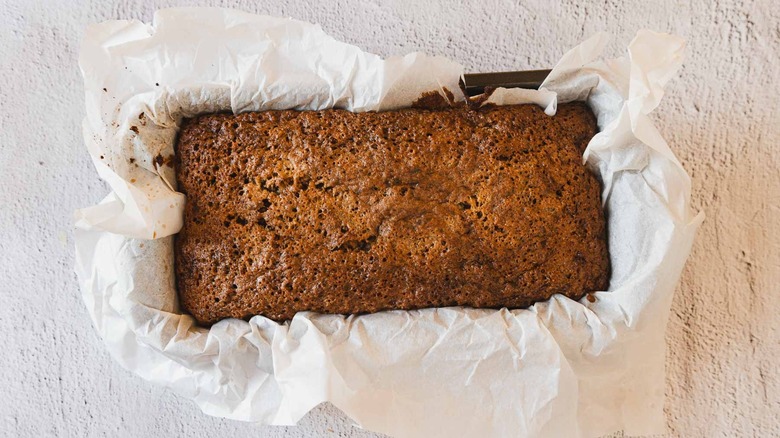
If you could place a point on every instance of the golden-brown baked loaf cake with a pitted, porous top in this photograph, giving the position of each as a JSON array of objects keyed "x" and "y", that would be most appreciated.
[{"x": 337, "y": 212}]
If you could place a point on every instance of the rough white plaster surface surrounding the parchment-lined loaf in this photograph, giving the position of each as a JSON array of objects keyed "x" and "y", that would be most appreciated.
[{"x": 721, "y": 116}]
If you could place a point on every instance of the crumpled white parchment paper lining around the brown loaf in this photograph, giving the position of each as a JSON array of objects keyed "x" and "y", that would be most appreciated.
[{"x": 559, "y": 368}]
